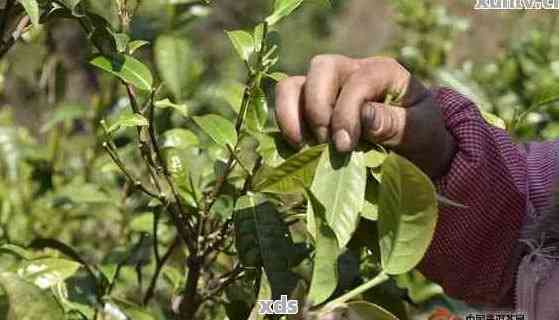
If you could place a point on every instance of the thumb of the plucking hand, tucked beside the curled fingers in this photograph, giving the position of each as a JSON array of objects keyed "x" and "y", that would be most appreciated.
[{"x": 383, "y": 124}]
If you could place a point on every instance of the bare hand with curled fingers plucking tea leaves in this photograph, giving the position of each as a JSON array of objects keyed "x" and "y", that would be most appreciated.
[{"x": 342, "y": 99}]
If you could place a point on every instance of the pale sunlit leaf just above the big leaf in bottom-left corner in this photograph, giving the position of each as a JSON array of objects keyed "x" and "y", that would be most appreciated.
[{"x": 47, "y": 272}]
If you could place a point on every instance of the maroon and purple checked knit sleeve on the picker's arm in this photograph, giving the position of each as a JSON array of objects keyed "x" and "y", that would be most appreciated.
[{"x": 499, "y": 182}]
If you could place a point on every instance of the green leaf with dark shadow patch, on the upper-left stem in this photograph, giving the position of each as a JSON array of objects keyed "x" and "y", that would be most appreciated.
[{"x": 127, "y": 68}]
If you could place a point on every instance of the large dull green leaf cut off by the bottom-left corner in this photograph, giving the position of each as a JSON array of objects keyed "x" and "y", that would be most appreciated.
[{"x": 28, "y": 302}]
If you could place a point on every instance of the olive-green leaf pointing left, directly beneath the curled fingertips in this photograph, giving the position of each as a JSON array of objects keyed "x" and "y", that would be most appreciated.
[{"x": 293, "y": 174}]
